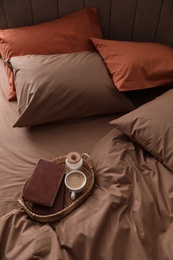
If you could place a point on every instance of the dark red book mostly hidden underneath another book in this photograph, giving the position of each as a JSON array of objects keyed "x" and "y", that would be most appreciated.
[{"x": 57, "y": 206}]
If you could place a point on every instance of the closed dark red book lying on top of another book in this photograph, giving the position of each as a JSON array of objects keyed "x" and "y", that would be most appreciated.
[{"x": 44, "y": 183}]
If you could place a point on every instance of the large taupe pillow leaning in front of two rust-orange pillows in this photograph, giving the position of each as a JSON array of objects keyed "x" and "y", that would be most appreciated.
[{"x": 64, "y": 86}]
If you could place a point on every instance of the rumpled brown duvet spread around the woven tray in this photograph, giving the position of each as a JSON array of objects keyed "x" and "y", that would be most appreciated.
[{"x": 127, "y": 216}]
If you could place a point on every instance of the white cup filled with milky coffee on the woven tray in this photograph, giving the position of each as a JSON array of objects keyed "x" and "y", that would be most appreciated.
[{"x": 75, "y": 181}]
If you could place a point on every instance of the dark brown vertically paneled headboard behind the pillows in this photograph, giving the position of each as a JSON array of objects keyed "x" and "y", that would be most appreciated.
[{"x": 132, "y": 20}]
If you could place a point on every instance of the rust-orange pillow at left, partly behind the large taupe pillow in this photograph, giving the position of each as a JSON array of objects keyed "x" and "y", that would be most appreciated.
[{"x": 64, "y": 35}]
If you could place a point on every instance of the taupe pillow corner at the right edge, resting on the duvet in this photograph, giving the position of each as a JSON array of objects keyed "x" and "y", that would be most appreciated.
[{"x": 151, "y": 126}]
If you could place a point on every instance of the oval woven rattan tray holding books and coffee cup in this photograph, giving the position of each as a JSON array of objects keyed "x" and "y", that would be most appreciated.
[{"x": 69, "y": 204}]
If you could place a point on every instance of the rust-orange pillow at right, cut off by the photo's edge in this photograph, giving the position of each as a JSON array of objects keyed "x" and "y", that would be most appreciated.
[{"x": 137, "y": 65}]
